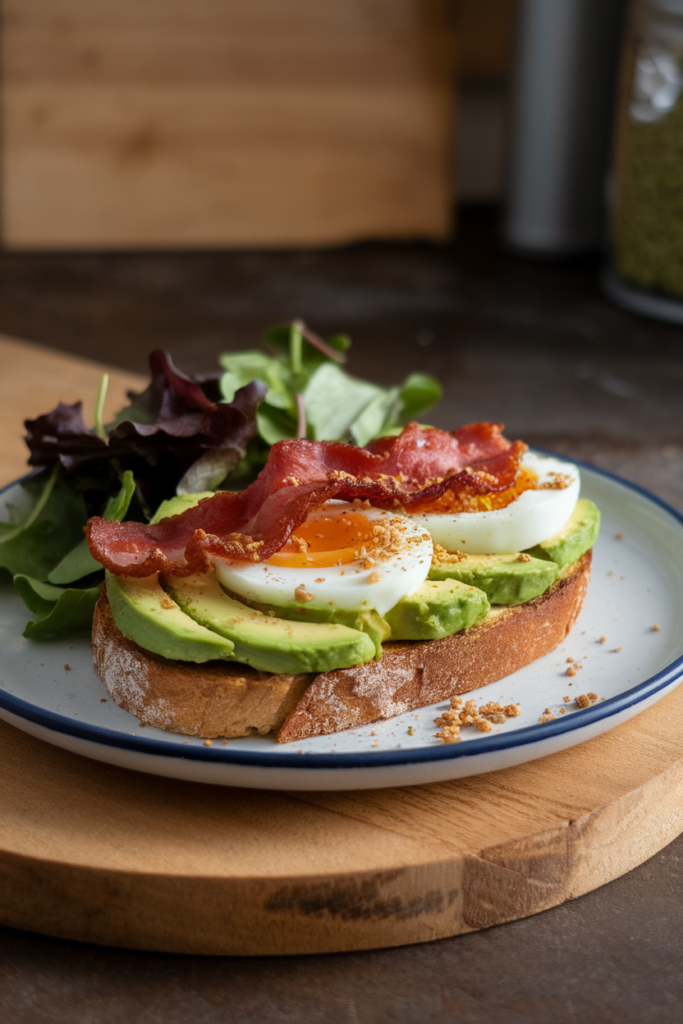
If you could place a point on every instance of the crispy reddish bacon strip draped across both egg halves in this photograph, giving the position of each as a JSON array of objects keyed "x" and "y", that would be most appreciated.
[{"x": 418, "y": 465}]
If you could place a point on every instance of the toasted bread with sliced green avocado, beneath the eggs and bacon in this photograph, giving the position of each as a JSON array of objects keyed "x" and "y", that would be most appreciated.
[{"x": 475, "y": 620}]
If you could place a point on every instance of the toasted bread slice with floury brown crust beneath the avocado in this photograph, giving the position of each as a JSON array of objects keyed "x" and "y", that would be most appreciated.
[{"x": 229, "y": 700}]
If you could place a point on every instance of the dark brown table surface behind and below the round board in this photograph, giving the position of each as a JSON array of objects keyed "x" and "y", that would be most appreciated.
[{"x": 533, "y": 345}]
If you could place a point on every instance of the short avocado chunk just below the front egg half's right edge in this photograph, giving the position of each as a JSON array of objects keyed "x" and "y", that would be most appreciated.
[{"x": 437, "y": 610}]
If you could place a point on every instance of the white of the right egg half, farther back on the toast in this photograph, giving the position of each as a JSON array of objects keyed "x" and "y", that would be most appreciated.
[{"x": 532, "y": 518}]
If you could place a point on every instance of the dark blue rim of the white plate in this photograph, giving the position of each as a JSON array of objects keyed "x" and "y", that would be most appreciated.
[{"x": 521, "y": 738}]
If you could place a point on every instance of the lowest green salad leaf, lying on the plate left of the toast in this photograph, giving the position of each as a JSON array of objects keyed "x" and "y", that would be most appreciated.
[{"x": 58, "y": 612}]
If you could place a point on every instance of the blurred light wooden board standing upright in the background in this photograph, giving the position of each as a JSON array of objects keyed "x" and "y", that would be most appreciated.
[{"x": 212, "y": 123}]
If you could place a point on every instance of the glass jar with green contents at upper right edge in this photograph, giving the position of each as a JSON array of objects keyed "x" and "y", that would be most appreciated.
[{"x": 647, "y": 201}]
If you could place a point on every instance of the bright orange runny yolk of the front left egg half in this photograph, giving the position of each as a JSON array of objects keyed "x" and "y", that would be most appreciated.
[{"x": 327, "y": 540}]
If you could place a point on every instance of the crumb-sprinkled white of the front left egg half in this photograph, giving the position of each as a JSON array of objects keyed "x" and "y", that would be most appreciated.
[{"x": 349, "y": 586}]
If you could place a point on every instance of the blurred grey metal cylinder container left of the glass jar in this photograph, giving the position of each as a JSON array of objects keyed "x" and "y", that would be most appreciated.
[{"x": 567, "y": 60}]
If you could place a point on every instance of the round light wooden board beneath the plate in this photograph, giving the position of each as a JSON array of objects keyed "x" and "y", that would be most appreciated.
[{"x": 107, "y": 856}]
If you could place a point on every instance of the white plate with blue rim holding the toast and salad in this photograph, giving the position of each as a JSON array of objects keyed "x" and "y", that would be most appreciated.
[{"x": 637, "y": 583}]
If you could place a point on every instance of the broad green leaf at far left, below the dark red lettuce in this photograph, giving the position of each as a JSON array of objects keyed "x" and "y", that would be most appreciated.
[{"x": 33, "y": 543}]
